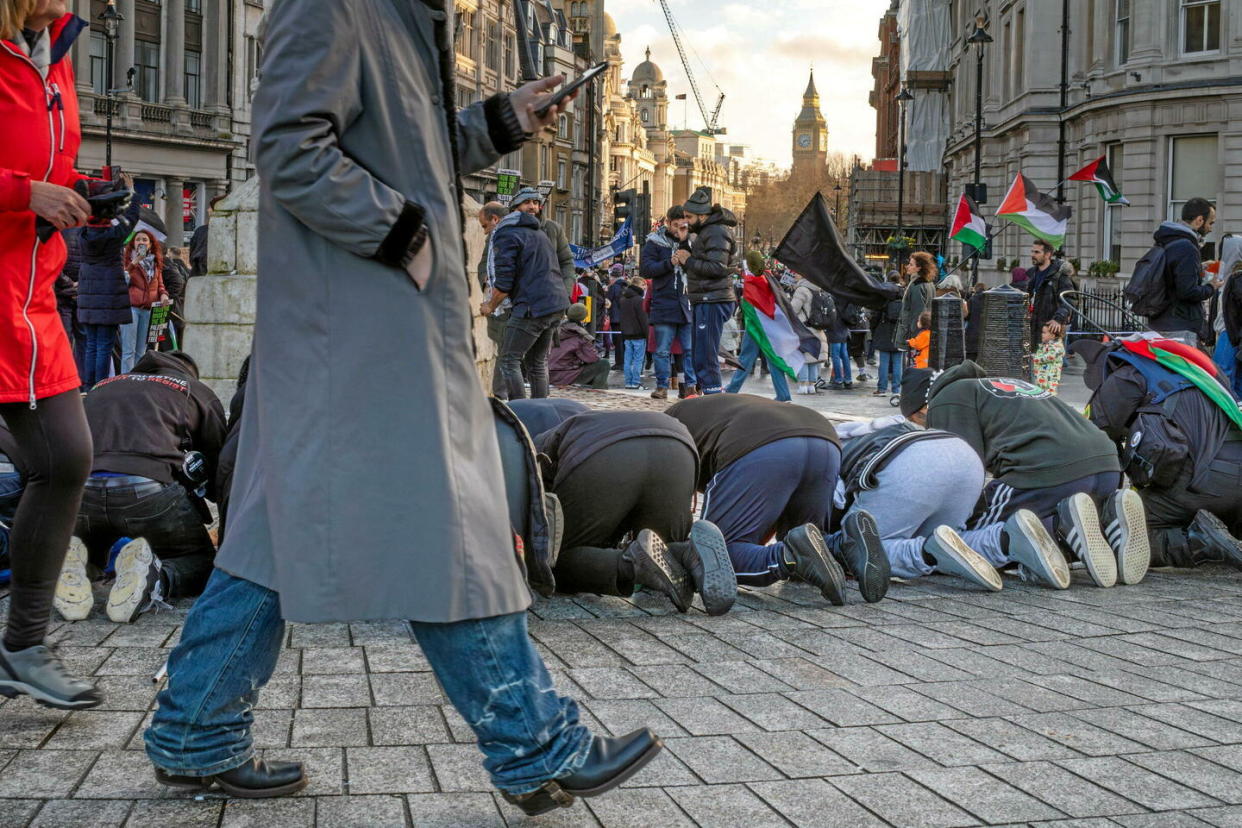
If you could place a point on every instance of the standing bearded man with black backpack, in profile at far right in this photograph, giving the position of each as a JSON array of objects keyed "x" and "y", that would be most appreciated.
[{"x": 1184, "y": 270}]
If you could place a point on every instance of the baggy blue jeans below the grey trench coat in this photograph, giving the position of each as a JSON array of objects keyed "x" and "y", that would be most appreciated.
[{"x": 487, "y": 667}]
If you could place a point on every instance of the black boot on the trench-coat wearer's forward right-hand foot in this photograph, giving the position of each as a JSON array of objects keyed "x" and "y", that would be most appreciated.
[{"x": 610, "y": 763}]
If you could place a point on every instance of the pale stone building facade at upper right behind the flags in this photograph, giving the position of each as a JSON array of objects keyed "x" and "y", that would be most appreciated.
[{"x": 1153, "y": 85}]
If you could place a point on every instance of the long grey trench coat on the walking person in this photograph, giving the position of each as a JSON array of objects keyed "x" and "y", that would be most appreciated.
[{"x": 368, "y": 480}]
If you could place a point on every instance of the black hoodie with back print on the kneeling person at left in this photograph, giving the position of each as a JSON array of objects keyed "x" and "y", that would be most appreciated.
[{"x": 143, "y": 423}]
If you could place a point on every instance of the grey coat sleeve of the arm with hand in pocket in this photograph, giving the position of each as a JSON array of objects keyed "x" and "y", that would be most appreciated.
[{"x": 311, "y": 94}]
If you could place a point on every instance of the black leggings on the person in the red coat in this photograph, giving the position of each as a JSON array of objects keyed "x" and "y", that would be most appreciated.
[{"x": 55, "y": 444}]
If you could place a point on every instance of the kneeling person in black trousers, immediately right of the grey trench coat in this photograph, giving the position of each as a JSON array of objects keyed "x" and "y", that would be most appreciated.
[{"x": 643, "y": 533}]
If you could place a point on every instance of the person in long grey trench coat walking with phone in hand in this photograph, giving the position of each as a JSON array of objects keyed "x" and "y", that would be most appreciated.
[{"x": 366, "y": 482}]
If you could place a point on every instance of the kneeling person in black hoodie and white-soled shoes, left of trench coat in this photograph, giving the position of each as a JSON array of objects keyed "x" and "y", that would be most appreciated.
[{"x": 157, "y": 433}]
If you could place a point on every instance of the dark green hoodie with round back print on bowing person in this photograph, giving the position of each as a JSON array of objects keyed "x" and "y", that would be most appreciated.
[{"x": 1028, "y": 438}]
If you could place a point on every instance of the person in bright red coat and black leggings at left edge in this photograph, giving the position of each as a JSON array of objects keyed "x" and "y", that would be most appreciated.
[{"x": 40, "y": 193}]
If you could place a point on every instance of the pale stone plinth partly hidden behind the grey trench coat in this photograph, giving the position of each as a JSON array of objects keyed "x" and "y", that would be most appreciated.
[{"x": 220, "y": 306}]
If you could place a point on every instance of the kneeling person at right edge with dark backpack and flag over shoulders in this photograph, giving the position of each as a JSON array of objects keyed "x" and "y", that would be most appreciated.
[{"x": 1193, "y": 495}]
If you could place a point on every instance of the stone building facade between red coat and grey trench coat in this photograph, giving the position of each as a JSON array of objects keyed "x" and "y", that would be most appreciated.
[{"x": 182, "y": 124}]
